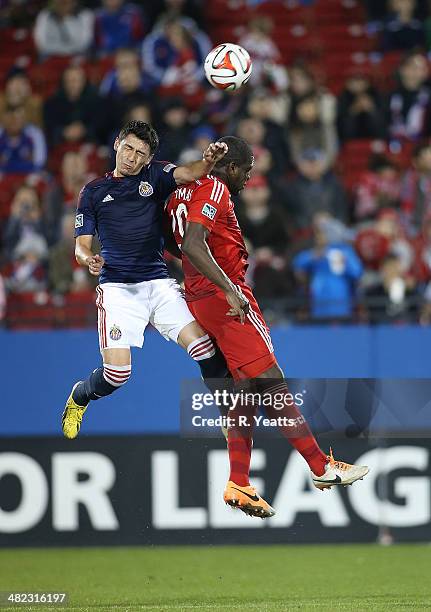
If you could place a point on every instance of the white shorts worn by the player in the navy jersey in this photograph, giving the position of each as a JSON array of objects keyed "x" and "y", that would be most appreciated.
[{"x": 124, "y": 311}]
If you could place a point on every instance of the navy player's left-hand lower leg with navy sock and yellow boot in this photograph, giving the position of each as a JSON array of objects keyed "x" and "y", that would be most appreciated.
[{"x": 103, "y": 381}]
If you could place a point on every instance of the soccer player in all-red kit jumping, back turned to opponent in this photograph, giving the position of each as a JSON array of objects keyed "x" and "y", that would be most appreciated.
[{"x": 214, "y": 260}]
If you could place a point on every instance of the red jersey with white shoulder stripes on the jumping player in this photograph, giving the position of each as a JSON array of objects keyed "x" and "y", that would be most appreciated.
[{"x": 207, "y": 201}]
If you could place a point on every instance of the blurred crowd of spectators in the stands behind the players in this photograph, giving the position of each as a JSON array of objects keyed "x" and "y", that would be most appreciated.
[{"x": 322, "y": 248}]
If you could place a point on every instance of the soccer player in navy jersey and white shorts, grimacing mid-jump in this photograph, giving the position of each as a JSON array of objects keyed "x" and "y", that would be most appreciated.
[{"x": 125, "y": 209}]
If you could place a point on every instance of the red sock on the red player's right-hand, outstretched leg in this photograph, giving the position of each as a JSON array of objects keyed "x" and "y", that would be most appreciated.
[{"x": 299, "y": 436}]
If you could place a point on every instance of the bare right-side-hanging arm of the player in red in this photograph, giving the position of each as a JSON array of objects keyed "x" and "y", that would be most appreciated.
[{"x": 196, "y": 249}]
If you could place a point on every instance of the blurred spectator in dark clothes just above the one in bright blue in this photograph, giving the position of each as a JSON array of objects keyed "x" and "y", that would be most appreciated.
[{"x": 315, "y": 189}]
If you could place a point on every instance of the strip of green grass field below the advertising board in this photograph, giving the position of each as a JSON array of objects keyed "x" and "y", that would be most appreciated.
[{"x": 266, "y": 578}]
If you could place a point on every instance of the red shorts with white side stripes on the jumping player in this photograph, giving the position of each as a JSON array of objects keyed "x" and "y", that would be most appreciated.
[{"x": 247, "y": 348}]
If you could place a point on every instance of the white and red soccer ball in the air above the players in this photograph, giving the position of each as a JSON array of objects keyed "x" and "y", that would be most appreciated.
[{"x": 228, "y": 67}]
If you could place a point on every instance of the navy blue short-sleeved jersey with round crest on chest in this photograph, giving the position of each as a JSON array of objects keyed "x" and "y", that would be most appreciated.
[{"x": 126, "y": 214}]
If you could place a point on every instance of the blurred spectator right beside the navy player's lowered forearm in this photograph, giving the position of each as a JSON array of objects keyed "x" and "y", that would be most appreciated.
[{"x": 65, "y": 275}]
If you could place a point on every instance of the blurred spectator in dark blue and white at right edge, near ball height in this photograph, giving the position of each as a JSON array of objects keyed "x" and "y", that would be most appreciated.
[{"x": 409, "y": 104}]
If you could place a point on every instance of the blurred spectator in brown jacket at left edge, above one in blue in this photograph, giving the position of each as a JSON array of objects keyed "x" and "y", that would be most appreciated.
[{"x": 18, "y": 92}]
